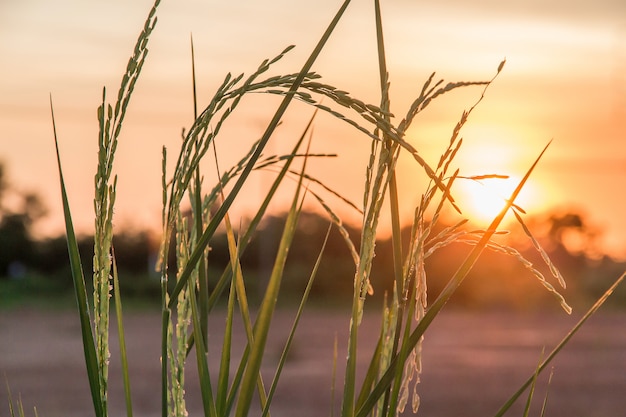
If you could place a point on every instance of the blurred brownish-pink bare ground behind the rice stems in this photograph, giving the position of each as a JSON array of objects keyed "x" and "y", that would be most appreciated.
[{"x": 472, "y": 362}]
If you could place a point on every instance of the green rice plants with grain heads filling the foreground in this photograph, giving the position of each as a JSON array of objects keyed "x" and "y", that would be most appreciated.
[{"x": 391, "y": 380}]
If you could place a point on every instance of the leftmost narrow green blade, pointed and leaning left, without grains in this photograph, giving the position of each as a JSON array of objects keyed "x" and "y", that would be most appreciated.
[{"x": 89, "y": 348}]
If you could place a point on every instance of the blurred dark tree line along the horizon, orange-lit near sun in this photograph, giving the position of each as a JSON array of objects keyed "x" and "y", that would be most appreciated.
[{"x": 497, "y": 281}]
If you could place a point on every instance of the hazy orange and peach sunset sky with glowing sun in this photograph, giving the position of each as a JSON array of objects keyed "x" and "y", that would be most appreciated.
[{"x": 564, "y": 80}]
